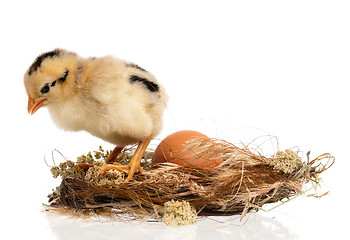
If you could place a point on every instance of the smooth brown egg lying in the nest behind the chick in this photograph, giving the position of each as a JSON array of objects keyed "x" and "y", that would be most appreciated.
[{"x": 187, "y": 148}]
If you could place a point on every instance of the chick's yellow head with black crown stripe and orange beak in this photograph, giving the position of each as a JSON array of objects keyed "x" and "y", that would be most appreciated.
[{"x": 50, "y": 79}]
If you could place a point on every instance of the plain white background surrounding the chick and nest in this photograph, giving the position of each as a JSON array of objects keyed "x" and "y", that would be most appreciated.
[{"x": 233, "y": 69}]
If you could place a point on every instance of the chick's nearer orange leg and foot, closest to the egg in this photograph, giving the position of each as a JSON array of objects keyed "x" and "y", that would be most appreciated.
[{"x": 134, "y": 164}]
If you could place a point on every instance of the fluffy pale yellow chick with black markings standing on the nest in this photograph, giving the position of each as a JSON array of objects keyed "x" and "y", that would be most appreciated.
[{"x": 112, "y": 99}]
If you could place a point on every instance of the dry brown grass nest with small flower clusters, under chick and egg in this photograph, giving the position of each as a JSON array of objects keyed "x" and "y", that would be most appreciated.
[{"x": 244, "y": 181}]
